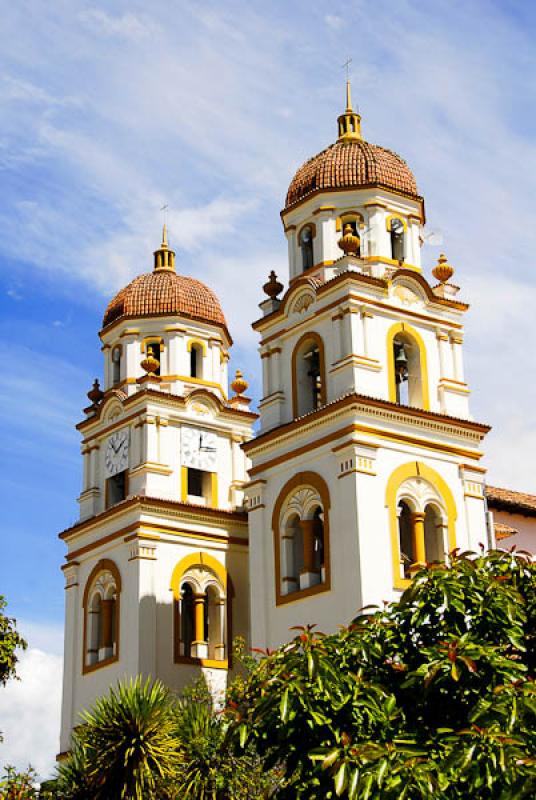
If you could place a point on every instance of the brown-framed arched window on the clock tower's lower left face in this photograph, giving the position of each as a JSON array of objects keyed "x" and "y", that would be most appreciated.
[{"x": 101, "y": 616}]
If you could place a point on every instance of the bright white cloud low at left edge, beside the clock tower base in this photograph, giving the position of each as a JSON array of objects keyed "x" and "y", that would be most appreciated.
[{"x": 31, "y": 706}]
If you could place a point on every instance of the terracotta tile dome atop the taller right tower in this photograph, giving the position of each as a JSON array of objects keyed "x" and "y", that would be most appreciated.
[{"x": 351, "y": 165}]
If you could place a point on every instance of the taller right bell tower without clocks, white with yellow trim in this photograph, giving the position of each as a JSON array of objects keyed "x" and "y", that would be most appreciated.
[{"x": 368, "y": 461}]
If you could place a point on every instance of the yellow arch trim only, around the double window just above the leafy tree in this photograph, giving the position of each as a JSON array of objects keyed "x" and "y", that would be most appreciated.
[{"x": 416, "y": 469}]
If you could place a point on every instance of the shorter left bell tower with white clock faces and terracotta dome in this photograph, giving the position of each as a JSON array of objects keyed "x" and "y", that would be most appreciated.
[{"x": 157, "y": 565}]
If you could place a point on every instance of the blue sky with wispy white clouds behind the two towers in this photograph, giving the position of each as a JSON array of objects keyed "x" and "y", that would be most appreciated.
[{"x": 109, "y": 110}]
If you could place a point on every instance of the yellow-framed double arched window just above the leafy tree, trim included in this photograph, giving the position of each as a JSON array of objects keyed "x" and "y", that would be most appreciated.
[{"x": 422, "y": 516}]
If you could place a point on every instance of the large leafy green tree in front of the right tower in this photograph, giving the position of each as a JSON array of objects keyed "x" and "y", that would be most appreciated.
[{"x": 431, "y": 696}]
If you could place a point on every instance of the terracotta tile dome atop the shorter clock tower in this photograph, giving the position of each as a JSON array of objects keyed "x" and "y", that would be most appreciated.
[{"x": 163, "y": 292}]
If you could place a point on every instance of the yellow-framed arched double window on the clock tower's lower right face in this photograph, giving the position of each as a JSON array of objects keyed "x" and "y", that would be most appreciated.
[{"x": 200, "y": 611}]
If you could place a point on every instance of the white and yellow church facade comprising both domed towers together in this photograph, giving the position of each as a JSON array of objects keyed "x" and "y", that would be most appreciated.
[{"x": 195, "y": 526}]
